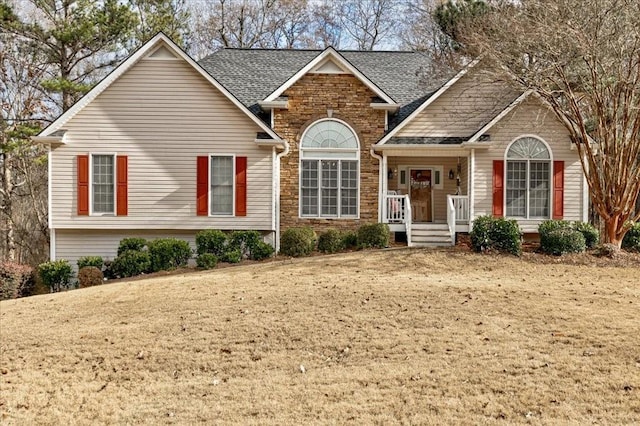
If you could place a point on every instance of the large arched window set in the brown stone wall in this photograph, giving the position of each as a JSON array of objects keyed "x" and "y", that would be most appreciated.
[{"x": 329, "y": 164}]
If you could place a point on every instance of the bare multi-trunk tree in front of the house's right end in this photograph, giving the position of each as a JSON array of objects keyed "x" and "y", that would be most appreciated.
[{"x": 581, "y": 57}]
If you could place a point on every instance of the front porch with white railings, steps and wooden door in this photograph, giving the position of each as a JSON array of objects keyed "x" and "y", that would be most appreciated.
[{"x": 426, "y": 198}]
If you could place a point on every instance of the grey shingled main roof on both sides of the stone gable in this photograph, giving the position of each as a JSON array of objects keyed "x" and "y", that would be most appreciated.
[{"x": 254, "y": 74}]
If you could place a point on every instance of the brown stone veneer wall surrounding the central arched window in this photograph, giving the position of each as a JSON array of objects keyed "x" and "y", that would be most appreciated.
[{"x": 310, "y": 99}]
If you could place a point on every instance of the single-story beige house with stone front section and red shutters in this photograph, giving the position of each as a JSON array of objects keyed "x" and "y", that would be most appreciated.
[{"x": 270, "y": 139}]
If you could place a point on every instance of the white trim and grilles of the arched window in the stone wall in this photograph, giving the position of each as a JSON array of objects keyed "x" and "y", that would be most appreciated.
[{"x": 339, "y": 216}]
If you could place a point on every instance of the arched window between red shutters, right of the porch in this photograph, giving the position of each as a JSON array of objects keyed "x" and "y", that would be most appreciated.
[{"x": 528, "y": 179}]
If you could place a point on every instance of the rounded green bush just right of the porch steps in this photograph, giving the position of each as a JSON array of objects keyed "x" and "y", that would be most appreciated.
[{"x": 496, "y": 233}]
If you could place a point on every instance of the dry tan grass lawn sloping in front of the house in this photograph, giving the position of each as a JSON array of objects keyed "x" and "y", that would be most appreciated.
[{"x": 387, "y": 337}]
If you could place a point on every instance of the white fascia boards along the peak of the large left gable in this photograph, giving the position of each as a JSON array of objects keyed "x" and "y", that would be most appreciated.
[{"x": 132, "y": 60}]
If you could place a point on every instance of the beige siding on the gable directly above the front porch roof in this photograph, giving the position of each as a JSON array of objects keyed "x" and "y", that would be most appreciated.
[{"x": 463, "y": 109}]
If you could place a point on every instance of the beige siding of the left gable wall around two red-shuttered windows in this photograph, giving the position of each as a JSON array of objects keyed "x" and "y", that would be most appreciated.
[{"x": 162, "y": 114}]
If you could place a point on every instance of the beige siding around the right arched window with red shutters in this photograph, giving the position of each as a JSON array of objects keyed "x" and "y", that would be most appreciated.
[{"x": 529, "y": 119}]
